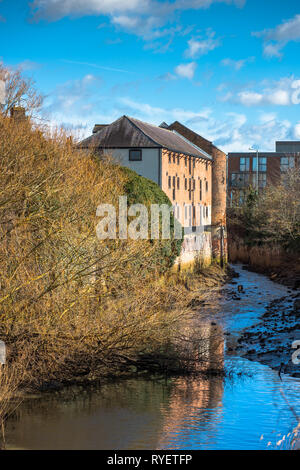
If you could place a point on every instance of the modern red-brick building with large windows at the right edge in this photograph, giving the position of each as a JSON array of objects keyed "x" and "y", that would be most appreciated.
[{"x": 243, "y": 171}]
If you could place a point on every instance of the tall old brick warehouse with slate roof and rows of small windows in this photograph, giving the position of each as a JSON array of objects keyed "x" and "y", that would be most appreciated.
[{"x": 188, "y": 168}]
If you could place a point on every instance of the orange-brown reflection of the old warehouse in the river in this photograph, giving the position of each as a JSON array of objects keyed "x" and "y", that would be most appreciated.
[{"x": 196, "y": 402}]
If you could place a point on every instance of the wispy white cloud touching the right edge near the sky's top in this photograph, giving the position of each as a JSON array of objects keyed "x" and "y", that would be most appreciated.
[{"x": 276, "y": 39}]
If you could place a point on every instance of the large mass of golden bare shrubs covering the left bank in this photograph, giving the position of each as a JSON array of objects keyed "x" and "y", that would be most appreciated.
[{"x": 74, "y": 308}]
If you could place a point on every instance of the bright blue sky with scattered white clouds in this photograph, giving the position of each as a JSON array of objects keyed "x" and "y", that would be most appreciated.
[{"x": 228, "y": 69}]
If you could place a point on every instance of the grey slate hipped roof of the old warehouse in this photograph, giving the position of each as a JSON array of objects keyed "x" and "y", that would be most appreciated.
[{"x": 129, "y": 132}]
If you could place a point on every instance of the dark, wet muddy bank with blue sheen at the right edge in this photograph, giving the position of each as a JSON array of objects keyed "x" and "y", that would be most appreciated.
[{"x": 270, "y": 340}]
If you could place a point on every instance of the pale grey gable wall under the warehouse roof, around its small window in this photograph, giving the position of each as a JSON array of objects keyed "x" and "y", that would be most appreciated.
[{"x": 149, "y": 166}]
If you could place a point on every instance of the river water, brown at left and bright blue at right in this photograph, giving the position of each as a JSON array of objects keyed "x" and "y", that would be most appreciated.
[{"x": 249, "y": 409}]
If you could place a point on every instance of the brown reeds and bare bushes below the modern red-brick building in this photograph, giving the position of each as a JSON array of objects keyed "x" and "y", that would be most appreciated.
[{"x": 265, "y": 231}]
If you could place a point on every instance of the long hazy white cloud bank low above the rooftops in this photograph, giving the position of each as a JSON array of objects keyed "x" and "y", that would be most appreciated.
[{"x": 79, "y": 104}]
